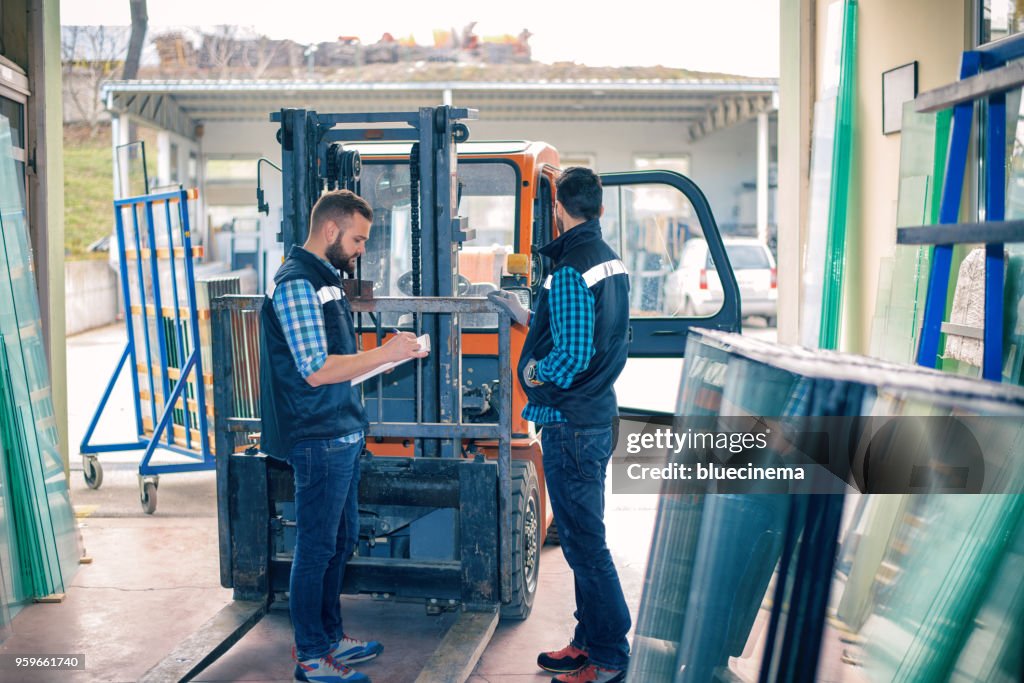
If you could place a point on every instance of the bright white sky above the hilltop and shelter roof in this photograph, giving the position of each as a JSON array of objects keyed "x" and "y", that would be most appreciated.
[{"x": 728, "y": 36}]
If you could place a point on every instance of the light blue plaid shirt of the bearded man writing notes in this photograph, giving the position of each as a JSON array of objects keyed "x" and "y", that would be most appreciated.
[{"x": 302, "y": 316}]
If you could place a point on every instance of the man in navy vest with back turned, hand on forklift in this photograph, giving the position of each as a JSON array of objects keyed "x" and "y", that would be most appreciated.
[{"x": 576, "y": 350}]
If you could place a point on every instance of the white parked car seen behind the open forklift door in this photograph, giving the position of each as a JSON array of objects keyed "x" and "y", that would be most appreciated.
[{"x": 695, "y": 290}]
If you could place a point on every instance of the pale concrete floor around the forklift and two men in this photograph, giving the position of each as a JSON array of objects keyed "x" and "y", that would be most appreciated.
[{"x": 154, "y": 580}]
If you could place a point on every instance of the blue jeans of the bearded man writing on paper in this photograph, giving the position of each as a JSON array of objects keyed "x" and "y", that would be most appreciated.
[{"x": 327, "y": 518}]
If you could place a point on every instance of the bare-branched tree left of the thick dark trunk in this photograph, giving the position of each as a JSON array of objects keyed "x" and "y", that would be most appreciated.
[{"x": 91, "y": 56}]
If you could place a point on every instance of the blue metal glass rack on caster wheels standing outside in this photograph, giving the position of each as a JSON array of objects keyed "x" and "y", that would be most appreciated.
[{"x": 173, "y": 363}]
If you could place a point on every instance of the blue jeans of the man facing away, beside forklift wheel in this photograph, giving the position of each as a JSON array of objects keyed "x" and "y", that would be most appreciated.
[{"x": 575, "y": 464}]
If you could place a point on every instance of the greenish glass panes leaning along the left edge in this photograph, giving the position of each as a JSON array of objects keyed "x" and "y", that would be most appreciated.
[{"x": 38, "y": 538}]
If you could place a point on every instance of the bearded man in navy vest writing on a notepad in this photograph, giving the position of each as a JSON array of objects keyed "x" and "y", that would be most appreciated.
[{"x": 314, "y": 419}]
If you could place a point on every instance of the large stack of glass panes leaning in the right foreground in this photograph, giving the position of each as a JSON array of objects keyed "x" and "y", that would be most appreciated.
[{"x": 743, "y": 584}]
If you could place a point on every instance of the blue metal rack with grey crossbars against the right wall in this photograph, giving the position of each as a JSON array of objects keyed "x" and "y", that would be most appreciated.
[{"x": 987, "y": 74}]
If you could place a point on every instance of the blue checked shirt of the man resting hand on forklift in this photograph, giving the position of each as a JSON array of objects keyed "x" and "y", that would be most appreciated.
[{"x": 572, "y": 307}]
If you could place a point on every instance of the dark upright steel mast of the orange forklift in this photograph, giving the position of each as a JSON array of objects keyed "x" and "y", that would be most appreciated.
[{"x": 315, "y": 160}]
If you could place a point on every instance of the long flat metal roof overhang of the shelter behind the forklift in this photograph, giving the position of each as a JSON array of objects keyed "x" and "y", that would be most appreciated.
[{"x": 701, "y": 106}]
